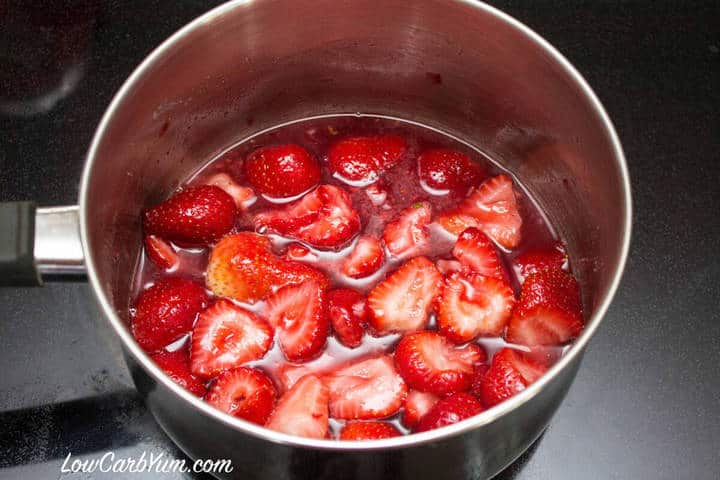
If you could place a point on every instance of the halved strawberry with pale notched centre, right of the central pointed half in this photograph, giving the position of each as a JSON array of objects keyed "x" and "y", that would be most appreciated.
[{"x": 473, "y": 305}]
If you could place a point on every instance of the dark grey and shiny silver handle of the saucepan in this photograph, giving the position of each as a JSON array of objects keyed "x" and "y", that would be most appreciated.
[{"x": 39, "y": 243}]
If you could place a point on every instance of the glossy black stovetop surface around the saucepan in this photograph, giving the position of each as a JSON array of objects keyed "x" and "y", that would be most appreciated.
[{"x": 645, "y": 403}]
